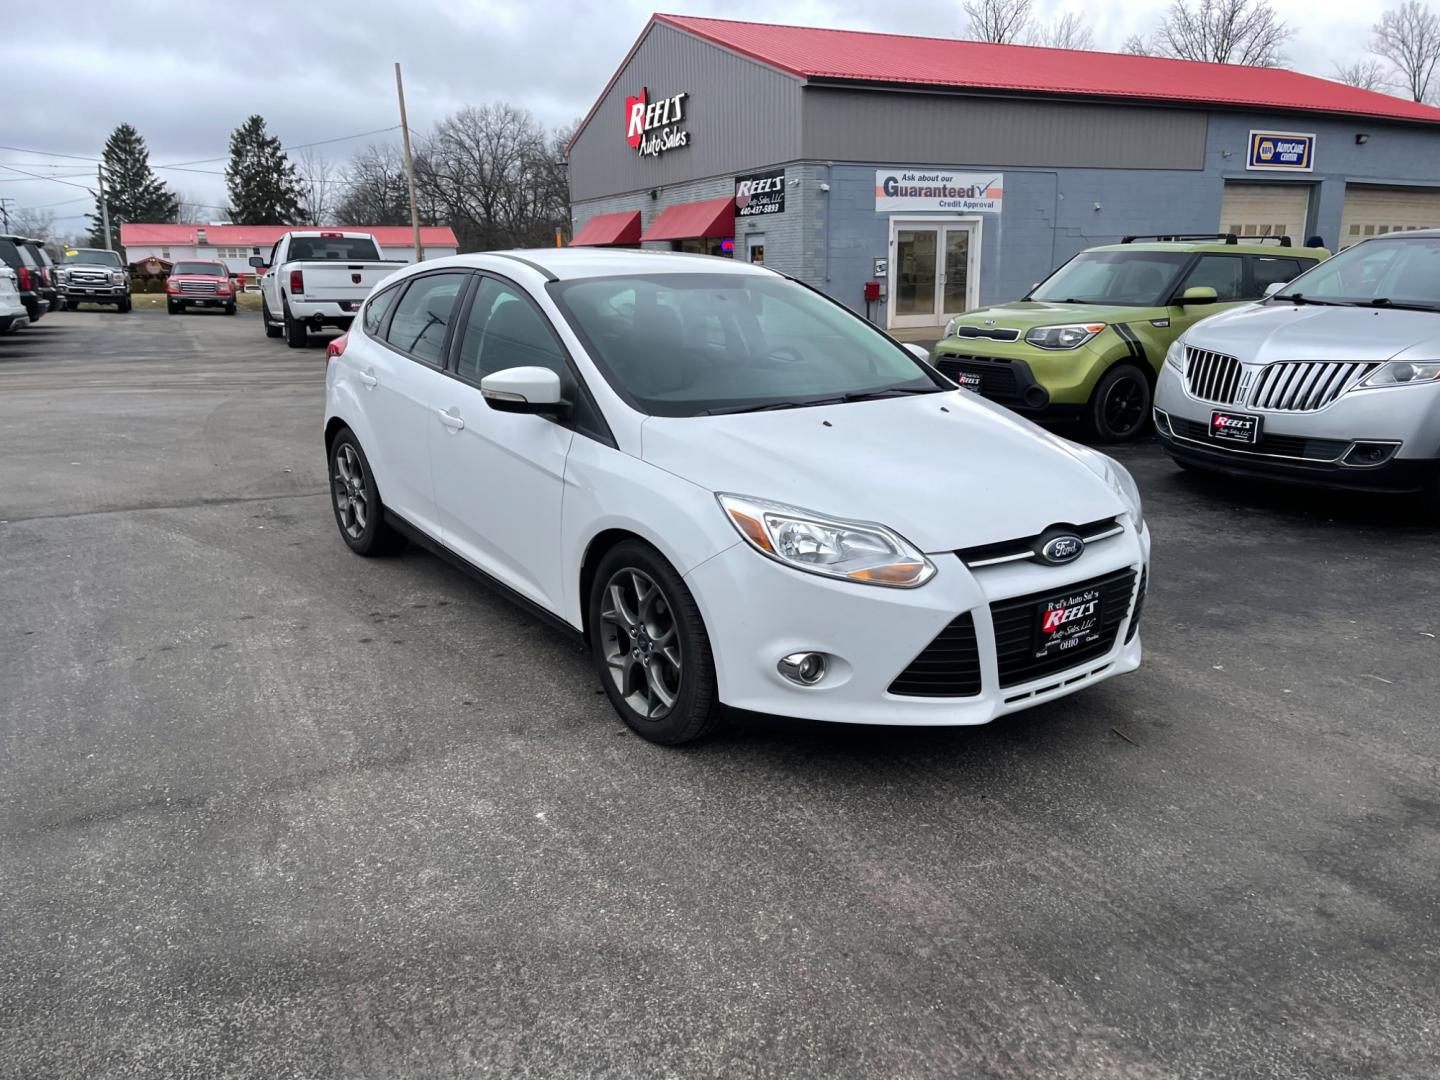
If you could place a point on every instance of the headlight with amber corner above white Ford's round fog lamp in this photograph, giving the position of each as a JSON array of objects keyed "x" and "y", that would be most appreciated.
[{"x": 833, "y": 548}]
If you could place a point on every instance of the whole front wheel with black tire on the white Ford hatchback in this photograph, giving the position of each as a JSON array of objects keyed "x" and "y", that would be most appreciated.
[{"x": 652, "y": 649}]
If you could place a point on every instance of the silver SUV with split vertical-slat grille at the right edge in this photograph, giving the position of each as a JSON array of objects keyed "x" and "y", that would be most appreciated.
[{"x": 1333, "y": 379}]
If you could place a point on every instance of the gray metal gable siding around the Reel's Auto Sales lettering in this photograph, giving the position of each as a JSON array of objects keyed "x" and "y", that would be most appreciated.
[{"x": 742, "y": 116}]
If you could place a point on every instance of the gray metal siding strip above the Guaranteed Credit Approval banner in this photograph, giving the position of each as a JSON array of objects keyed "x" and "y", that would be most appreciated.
[{"x": 889, "y": 126}]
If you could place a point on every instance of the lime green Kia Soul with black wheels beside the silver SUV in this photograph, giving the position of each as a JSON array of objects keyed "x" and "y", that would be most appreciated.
[{"x": 1088, "y": 343}]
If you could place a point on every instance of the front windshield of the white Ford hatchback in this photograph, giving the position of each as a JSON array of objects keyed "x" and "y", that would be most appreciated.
[{"x": 686, "y": 345}]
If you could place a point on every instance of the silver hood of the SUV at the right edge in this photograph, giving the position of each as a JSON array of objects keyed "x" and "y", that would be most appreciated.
[{"x": 1269, "y": 333}]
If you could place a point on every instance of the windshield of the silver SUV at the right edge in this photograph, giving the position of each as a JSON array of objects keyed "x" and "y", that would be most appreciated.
[{"x": 1396, "y": 271}]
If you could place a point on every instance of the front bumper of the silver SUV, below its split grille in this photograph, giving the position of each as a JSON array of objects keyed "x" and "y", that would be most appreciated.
[{"x": 1385, "y": 440}]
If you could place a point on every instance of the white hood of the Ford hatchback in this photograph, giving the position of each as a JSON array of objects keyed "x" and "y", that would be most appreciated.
[{"x": 947, "y": 470}]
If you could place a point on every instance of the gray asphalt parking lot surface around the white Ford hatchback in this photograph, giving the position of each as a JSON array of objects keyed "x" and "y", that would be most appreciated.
[{"x": 273, "y": 810}]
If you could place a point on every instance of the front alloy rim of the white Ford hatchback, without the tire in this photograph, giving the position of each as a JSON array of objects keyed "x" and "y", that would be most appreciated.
[{"x": 642, "y": 643}]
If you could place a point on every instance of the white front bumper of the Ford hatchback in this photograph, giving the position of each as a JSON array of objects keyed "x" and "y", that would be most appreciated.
[{"x": 758, "y": 611}]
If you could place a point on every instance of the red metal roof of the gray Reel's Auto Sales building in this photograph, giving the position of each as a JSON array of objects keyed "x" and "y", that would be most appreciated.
[{"x": 858, "y": 57}]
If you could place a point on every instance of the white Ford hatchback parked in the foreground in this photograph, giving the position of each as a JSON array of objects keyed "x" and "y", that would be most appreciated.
[{"x": 734, "y": 489}]
